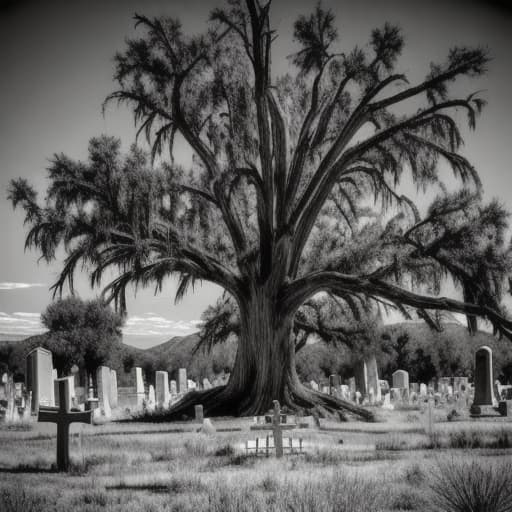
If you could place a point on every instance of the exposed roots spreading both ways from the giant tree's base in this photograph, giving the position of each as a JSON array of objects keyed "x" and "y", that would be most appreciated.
[{"x": 220, "y": 401}]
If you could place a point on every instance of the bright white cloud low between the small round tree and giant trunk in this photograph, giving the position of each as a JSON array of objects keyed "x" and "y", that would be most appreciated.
[{"x": 150, "y": 324}]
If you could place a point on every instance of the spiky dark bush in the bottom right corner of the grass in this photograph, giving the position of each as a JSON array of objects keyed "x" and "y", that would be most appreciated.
[{"x": 472, "y": 486}]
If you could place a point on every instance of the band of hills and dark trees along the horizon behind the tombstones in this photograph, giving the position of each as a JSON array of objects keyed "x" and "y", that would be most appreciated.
[{"x": 426, "y": 353}]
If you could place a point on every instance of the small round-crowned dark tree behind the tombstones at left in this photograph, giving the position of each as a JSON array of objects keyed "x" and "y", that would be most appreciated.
[{"x": 85, "y": 333}]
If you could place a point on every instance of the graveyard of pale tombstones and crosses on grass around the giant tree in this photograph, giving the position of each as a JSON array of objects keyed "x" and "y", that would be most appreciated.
[{"x": 108, "y": 447}]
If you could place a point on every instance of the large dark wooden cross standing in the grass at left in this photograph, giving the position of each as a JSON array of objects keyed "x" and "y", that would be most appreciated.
[{"x": 63, "y": 417}]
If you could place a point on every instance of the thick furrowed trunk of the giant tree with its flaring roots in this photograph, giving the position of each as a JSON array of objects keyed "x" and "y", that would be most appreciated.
[{"x": 264, "y": 370}]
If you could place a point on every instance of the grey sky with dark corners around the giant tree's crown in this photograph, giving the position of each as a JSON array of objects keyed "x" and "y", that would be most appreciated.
[{"x": 56, "y": 62}]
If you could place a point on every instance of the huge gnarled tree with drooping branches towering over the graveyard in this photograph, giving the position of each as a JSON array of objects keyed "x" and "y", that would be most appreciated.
[{"x": 293, "y": 188}]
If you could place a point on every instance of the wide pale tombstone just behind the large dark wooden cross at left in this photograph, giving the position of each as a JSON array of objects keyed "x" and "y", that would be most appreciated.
[{"x": 39, "y": 377}]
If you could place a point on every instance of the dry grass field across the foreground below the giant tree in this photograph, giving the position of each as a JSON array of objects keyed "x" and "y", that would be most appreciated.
[{"x": 349, "y": 467}]
